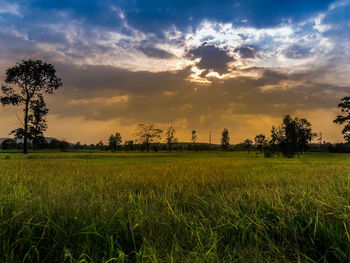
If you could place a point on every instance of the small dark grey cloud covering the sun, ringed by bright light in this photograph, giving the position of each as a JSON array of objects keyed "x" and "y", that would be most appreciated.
[{"x": 211, "y": 58}]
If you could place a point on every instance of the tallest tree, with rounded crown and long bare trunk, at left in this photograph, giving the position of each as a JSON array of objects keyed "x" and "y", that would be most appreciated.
[{"x": 24, "y": 83}]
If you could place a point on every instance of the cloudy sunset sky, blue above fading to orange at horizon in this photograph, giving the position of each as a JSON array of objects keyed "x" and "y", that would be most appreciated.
[{"x": 203, "y": 65}]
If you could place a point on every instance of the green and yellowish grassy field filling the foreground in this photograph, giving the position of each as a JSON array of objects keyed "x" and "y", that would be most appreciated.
[{"x": 186, "y": 207}]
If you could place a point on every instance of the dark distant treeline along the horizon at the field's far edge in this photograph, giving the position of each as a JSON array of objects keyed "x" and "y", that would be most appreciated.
[{"x": 292, "y": 137}]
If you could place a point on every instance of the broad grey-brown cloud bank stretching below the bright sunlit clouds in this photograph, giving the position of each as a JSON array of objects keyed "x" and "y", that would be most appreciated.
[{"x": 159, "y": 97}]
